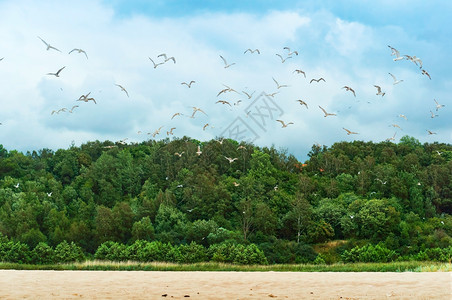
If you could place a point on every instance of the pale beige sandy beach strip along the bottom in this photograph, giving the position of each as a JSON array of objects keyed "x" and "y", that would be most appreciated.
[{"x": 222, "y": 285}]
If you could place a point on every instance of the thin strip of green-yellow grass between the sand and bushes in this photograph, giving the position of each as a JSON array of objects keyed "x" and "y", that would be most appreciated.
[{"x": 406, "y": 266}]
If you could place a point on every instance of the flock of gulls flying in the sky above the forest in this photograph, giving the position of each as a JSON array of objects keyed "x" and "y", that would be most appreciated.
[{"x": 287, "y": 54}]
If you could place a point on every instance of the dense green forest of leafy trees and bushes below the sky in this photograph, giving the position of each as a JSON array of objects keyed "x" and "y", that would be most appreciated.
[{"x": 184, "y": 200}]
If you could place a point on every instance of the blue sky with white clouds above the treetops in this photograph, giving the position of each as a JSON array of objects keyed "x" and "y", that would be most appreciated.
[{"x": 343, "y": 42}]
